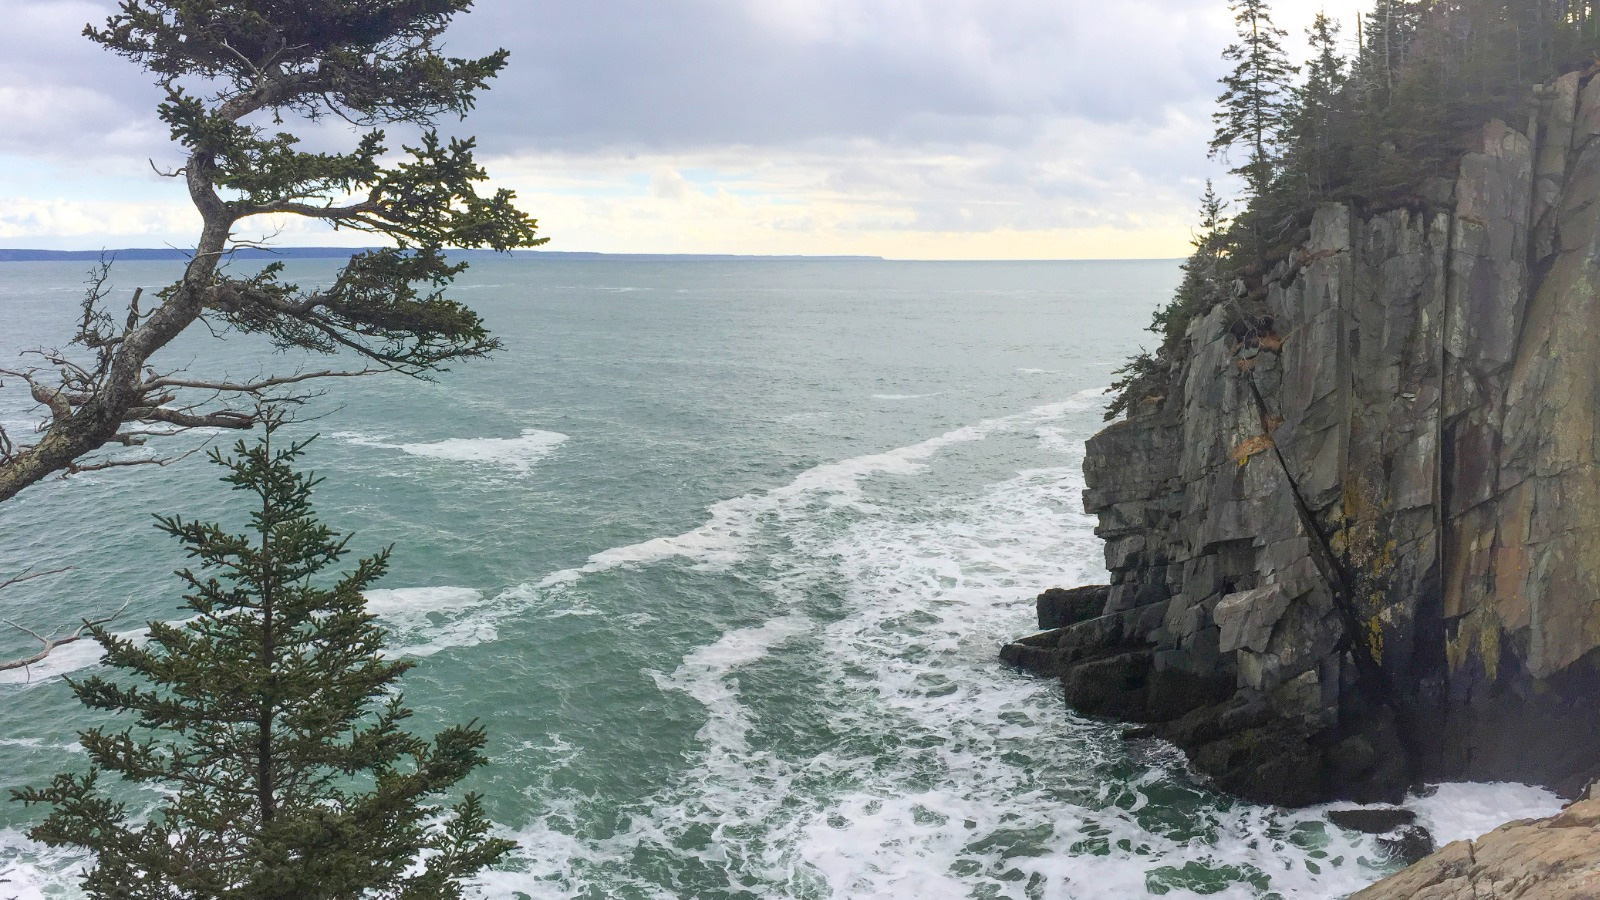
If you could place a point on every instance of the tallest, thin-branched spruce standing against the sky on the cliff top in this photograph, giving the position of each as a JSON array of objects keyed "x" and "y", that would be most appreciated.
[{"x": 1257, "y": 100}]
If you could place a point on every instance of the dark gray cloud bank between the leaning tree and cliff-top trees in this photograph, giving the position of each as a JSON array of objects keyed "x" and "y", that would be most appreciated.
[{"x": 695, "y": 73}]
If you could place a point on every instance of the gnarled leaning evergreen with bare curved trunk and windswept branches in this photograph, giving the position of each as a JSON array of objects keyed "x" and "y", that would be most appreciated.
[{"x": 239, "y": 79}]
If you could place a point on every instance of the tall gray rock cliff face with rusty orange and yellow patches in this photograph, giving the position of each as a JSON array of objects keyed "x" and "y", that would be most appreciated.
[{"x": 1358, "y": 544}]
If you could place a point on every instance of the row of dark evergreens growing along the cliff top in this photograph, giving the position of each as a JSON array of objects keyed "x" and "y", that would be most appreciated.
[{"x": 1366, "y": 119}]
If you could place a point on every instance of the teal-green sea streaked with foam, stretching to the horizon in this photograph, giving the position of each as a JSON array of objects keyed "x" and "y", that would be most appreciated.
[{"x": 722, "y": 555}]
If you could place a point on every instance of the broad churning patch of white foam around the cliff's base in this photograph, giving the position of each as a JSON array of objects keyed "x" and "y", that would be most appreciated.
[{"x": 951, "y": 777}]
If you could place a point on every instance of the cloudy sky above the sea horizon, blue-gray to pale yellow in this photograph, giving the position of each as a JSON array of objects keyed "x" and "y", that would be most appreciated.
[{"x": 902, "y": 129}]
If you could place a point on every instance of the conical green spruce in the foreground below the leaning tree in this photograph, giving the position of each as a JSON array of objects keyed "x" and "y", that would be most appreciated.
[{"x": 273, "y": 725}]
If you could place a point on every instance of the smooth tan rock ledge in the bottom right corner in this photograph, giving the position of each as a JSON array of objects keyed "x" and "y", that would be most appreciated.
[{"x": 1551, "y": 859}]
